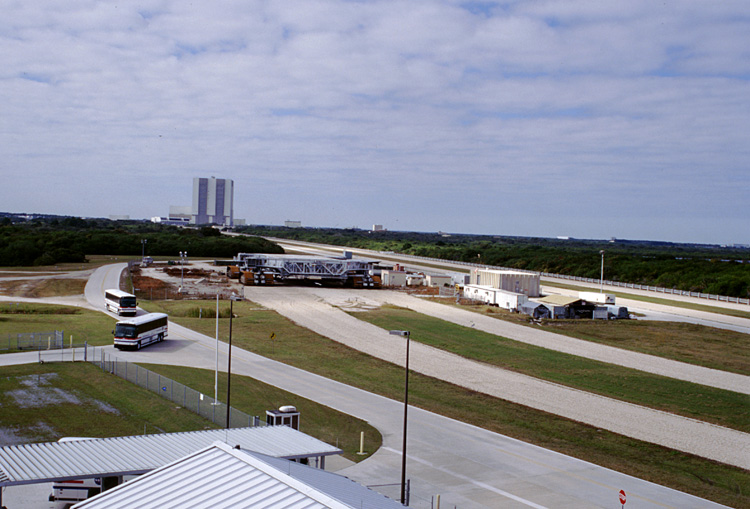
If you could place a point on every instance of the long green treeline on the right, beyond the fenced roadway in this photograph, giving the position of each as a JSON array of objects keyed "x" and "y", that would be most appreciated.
[{"x": 693, "y": 267}]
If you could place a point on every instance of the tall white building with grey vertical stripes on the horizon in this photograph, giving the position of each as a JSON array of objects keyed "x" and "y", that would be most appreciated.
[{"x": 213, "y": 201}]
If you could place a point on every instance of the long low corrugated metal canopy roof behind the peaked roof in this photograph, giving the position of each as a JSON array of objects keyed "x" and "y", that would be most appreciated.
[{"x": 30, "y": 463}]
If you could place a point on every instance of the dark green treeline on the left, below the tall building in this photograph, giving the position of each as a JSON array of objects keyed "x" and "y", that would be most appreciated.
[{"x": 52, "y": 241}]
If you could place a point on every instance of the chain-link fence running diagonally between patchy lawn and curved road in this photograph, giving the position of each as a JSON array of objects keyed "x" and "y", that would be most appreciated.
[{"x": 201, "y": 404}]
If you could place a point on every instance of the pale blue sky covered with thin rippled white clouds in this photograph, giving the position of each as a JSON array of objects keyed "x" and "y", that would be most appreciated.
[{"x": 588, "y": 119}]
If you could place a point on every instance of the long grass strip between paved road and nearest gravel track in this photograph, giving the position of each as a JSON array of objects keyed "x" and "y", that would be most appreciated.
[{"x": 253, "y": 328}]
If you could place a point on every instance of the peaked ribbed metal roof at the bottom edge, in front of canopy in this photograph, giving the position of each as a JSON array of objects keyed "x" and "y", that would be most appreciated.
[{"x": 220, "y": 477}]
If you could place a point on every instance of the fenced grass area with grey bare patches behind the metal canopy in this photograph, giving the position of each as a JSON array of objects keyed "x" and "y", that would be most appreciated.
[{"x": 44, "y": 402}]
